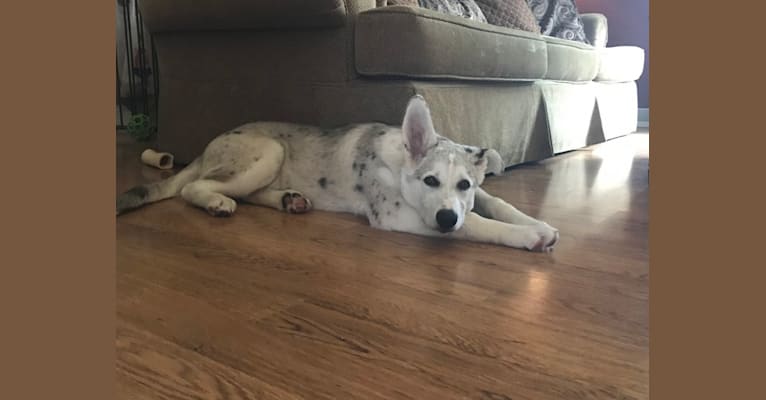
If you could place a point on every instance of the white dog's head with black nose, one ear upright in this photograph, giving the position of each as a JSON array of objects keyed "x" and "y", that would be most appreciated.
[{"x": 440, "y": 177}]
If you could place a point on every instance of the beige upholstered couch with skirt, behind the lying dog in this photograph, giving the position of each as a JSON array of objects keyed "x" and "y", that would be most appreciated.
[{"x": 334, "y": 62}]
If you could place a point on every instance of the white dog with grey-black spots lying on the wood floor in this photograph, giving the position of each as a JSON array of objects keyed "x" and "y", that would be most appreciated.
[{"x": 407, "y": 179}]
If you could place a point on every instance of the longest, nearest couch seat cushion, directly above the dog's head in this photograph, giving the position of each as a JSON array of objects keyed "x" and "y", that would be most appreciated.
[{"x": 420, "y": 43}]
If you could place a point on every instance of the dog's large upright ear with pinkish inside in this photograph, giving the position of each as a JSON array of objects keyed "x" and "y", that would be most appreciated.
[{"x": 418, "y": 128}]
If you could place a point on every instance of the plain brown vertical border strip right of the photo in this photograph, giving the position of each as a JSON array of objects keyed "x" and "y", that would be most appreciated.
[{"x": 705, "y": 127}]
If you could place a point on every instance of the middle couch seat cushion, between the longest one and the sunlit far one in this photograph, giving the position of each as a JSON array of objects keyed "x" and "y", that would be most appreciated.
[{"x": 571, "y": 61}]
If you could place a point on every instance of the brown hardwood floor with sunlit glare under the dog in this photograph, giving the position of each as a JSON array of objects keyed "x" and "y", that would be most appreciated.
[{"x": 266, "y": 305}]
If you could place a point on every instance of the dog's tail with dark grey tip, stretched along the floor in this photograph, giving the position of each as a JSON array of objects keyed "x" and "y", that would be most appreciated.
[{"x": 151, "y": 192}]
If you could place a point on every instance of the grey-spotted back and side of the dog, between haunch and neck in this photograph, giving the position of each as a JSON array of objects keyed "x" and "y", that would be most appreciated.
[{"x": 338, "y": 169}]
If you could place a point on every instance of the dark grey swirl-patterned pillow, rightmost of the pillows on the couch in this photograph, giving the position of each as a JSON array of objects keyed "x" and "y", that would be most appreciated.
[{"x": 558, "y": 18}]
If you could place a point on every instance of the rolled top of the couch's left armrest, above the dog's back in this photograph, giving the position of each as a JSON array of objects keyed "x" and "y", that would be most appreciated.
[{"x": 211, "y": 15}]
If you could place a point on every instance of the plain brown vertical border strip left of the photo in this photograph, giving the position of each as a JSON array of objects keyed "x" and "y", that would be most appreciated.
[{"x": 58, "y": 172}]
